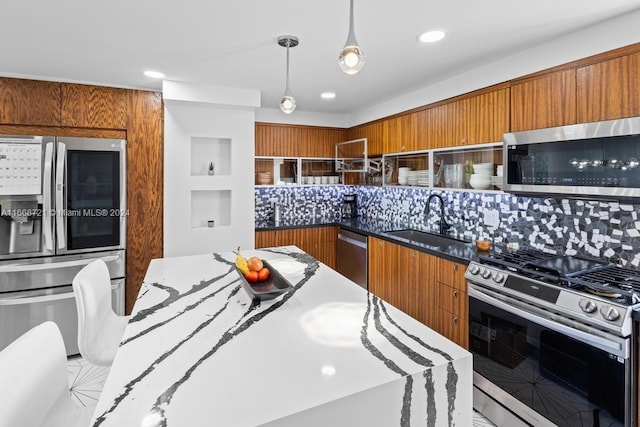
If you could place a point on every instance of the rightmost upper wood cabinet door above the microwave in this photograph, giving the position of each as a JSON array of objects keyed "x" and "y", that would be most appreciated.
[{"x": 610, "y": 89}]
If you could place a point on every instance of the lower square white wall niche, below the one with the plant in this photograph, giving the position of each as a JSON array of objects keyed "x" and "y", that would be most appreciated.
[{"x": 209, "y": 205}]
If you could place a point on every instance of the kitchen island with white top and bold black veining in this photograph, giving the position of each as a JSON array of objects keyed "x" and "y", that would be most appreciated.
[{"x": 198, "y": 351}]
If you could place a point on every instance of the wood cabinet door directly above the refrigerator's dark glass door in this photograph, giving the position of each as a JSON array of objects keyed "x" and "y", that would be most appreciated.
[{"x": 94, "y": 106}]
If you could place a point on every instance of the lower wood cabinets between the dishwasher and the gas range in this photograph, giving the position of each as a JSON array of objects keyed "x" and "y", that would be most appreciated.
[{"x": 426, "y": 287}]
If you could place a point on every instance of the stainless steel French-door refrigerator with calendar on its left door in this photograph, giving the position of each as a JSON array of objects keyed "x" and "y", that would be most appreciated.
[{"x": 62, "y": 205}]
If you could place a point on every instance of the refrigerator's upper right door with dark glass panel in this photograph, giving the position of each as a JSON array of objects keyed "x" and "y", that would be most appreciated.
[{"x": 91, "y": 194}]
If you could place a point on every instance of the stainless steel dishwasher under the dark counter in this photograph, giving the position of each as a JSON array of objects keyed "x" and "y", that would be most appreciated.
[{"x": 352, "y": 256}]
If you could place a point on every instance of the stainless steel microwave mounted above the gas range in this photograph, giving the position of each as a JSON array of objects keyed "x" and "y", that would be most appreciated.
[{"x": 585, "y": 160}]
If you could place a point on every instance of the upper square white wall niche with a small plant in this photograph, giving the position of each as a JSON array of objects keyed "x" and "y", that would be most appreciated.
[{"x": 205, "y": 150}]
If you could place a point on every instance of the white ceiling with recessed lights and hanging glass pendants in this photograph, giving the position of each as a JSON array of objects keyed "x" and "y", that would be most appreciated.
[{"x": 233, "y": 43}]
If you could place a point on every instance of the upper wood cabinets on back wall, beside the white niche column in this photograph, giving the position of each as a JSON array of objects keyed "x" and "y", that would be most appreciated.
[{"x": 296, "y": 141}]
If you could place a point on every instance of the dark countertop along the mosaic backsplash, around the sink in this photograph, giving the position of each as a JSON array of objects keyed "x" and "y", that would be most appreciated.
[{"x": 453, "y": 250}]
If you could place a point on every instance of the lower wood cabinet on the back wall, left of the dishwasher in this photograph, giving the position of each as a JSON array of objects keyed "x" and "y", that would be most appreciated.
[{"x": 319, "y": 242}]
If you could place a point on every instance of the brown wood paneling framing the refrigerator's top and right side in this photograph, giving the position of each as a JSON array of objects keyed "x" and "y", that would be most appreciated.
[{"x": 29, "y": 107}]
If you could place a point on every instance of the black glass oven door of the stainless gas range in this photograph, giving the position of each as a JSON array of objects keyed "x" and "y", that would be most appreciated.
[{"x": 546, "y": 372}]
